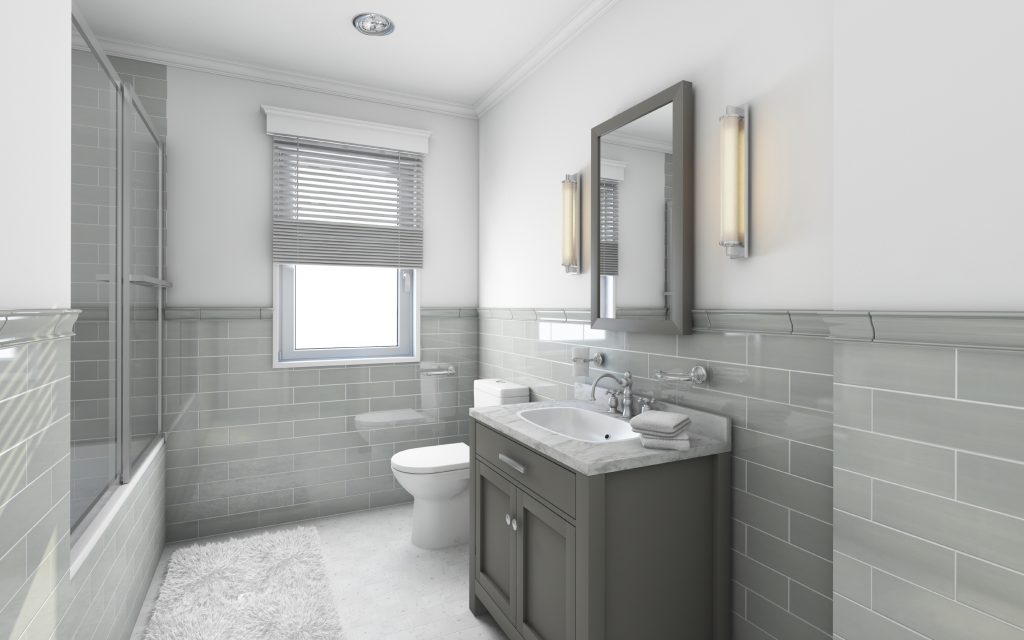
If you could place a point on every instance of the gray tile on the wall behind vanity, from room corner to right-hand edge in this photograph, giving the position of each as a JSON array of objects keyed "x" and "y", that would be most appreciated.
[{"x": 772, "y": 373}]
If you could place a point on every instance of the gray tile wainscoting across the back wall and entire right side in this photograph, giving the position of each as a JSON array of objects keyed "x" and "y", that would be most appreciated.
[{"x": 928, "y": 449}]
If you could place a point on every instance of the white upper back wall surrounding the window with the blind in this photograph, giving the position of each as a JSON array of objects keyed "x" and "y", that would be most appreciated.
[{"x": 220, "y": 191}]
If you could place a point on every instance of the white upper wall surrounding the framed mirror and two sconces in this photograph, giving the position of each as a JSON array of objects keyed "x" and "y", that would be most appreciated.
[{"x": 776, "y": 55}]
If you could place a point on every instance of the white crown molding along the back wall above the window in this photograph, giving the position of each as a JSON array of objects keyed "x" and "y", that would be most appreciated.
[{"x": 284, "y": 78}]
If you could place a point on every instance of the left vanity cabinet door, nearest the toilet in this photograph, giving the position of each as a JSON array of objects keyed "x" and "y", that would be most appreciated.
[{"x": 495, "y": 562}]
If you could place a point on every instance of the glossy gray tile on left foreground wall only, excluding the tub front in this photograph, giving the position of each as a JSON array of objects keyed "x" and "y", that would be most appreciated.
[{"x": 35, "y": 460}]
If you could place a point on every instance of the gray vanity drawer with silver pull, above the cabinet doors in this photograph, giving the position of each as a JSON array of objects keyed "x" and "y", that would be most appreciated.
[{"x": 545, "y": 478}]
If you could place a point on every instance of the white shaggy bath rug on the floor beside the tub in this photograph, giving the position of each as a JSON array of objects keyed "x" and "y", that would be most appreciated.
[{"x": 266, "y": 587}]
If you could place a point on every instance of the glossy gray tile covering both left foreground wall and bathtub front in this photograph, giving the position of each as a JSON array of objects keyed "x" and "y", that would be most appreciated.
[{"x": 39, "y": 596}]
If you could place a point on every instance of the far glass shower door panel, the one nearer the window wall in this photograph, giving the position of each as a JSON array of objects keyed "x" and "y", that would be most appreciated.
[{"x": 144, "y": 277}]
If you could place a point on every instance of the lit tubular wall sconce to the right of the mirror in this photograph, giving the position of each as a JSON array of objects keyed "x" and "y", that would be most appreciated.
[{"x": 735, "y": 133}]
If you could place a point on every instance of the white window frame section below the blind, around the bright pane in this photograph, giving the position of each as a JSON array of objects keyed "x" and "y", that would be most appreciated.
[{"x": 286, "y": 356}]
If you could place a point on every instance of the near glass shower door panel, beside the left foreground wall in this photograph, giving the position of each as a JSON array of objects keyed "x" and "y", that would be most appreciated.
[{"x": 96, "y": 112}]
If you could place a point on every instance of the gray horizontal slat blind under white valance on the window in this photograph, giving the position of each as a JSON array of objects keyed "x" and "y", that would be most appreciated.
[{"x": 348, "y": 205}]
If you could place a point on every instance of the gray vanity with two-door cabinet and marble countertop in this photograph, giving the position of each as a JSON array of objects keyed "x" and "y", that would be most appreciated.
[{"x": 600, "y": 540}]
